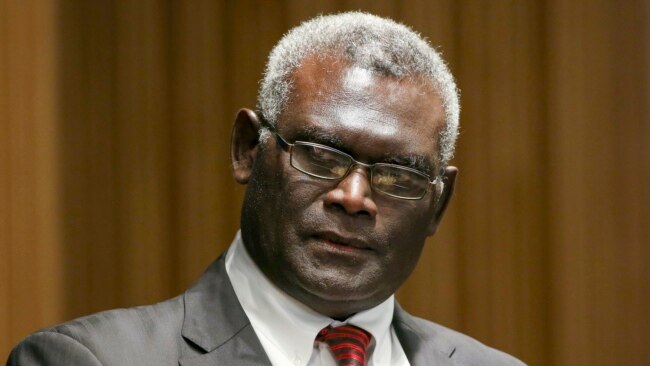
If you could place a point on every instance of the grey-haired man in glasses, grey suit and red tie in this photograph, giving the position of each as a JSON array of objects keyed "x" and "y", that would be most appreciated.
[{"x": 345, "y": 162}]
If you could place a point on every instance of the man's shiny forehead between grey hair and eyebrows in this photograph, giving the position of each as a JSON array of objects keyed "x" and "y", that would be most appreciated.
[{"x": 401, "y": 116}]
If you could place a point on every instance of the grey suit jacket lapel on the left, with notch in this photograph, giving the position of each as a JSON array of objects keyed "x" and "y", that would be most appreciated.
[{"x": 215, "y": 326}]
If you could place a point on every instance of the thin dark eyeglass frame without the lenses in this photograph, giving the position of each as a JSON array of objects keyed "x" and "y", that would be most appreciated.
[{"x": 287, "y": 146}]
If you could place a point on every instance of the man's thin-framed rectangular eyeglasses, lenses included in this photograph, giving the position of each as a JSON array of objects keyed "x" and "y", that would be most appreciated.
[{"x": 324, "y": 162}]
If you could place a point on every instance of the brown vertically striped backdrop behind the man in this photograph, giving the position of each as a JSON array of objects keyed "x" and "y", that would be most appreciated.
[{"x": 115, "y": 186}]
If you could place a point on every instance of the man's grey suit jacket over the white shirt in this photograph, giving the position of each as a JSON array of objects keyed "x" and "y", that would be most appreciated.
[{"x": 207, "y": 326}]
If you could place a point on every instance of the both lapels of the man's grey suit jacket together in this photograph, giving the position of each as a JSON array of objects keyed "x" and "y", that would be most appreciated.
[{"x": 216, "y": 323}]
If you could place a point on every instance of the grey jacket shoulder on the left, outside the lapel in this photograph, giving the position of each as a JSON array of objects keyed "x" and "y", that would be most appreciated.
[{"x": 108, "y": 335}]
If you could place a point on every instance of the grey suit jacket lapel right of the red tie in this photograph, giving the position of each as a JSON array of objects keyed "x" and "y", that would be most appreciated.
[{"x": 421, "y": 348}]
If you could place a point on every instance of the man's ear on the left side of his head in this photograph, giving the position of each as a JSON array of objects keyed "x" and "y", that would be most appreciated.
[{"x": 244, "y": 144}]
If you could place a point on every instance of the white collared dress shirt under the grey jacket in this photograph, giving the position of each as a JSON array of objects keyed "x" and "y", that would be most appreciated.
[{"x": 287, "y": 328}]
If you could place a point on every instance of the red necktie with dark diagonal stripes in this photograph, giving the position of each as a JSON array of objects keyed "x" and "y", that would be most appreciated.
[{"x": 347, "y": 342}]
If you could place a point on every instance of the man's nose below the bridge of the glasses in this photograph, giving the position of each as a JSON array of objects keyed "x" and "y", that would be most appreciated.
[{"x": 353, "y": 194}]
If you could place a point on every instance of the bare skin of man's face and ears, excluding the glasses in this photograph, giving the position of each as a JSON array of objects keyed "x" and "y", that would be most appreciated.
[{"x": 338, "y": 246}]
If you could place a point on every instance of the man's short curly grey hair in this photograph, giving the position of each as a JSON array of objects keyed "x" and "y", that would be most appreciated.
[{"x": 368, "y": 41}]
